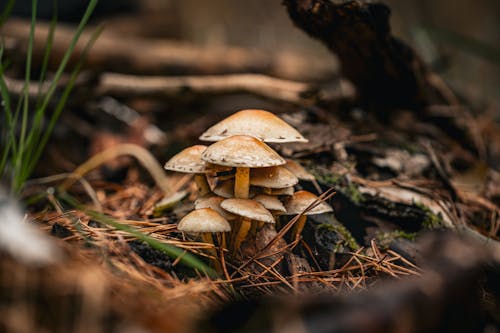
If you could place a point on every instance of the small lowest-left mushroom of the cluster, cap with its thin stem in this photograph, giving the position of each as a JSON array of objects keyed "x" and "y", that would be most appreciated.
[{"x": 205, "y": 221}]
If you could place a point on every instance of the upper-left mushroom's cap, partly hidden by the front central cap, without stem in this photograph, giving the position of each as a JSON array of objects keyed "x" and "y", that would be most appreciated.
[{"x": 189, "y": 161}]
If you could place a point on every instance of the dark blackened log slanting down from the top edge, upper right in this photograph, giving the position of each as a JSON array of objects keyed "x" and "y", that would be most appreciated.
[{"x": 387, "y": 73}]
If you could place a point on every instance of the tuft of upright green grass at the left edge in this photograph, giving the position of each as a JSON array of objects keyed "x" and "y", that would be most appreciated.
[{"x": 25, "y": 130}]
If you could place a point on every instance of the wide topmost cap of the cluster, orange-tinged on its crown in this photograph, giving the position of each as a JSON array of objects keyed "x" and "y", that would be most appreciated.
[{"x": 261, "y": 124}]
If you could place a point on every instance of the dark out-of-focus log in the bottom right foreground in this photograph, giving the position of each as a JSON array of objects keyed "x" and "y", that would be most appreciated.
[{"x": 448, "y": 297}]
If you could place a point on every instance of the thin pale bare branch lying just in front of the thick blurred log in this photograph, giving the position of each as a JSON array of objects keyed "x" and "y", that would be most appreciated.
[{"x": 171, "y": 87}]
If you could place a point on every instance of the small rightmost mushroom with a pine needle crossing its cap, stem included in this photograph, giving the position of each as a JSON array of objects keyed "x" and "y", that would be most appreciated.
[{"x": 298, "y": 203}]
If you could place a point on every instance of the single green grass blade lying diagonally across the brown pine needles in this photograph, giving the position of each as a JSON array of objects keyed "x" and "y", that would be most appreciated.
[{"x": 174, "y": 252}]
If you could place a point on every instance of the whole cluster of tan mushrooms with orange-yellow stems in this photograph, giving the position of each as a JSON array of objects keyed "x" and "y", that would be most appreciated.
[{"x": 243, "y": 183}]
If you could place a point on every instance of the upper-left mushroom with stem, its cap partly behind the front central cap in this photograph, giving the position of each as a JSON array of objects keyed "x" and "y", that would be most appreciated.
[{"x": 189, "y": 161}]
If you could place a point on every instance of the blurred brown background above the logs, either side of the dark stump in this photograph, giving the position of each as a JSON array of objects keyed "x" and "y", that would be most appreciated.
[{"x": 460, "y": 39}]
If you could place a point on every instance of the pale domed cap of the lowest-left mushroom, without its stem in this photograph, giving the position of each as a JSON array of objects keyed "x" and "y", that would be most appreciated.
[{"x": 204, "y": 220}]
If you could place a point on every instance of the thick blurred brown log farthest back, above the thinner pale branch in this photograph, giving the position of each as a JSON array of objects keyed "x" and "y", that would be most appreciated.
[{"x": 125, "y": 54}]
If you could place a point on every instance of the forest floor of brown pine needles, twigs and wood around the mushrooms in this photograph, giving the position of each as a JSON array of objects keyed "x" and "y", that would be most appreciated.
[{"x": 409, "y": 168}]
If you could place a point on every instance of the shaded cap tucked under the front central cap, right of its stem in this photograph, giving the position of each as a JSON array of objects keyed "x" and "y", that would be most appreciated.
[{"x": 272, "y": 177}]
